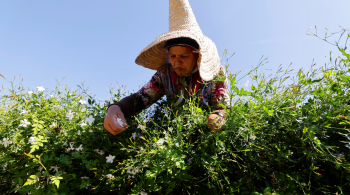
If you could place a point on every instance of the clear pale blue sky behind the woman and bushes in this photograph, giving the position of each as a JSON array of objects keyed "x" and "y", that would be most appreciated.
[{"x": 96, "y": 42}]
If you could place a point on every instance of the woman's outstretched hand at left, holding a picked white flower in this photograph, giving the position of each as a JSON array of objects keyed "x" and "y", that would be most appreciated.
[{"x": 111, "y": 124}]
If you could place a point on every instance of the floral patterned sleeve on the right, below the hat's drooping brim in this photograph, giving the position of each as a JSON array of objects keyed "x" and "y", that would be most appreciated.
[{"x": 220, "y": 90}]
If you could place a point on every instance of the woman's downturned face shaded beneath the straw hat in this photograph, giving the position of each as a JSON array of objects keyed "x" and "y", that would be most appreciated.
[{"x": 182, "y": 60}]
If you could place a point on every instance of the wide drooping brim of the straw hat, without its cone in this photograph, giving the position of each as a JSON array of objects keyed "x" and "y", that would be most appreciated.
[{"x": 154, "y": 56}]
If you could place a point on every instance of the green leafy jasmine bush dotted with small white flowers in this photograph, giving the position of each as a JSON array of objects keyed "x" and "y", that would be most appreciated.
[{"x": 279, "y": 138}]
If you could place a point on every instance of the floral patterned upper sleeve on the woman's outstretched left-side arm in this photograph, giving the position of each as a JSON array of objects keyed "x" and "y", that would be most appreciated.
[{"x": 152, "y": 91}]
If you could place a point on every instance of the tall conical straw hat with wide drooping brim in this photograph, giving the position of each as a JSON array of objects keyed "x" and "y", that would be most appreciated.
[{"x": 182, "y": 23}]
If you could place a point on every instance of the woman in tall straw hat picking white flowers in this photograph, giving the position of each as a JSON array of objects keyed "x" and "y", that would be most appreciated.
[{"x": 187, "y": 63}]
